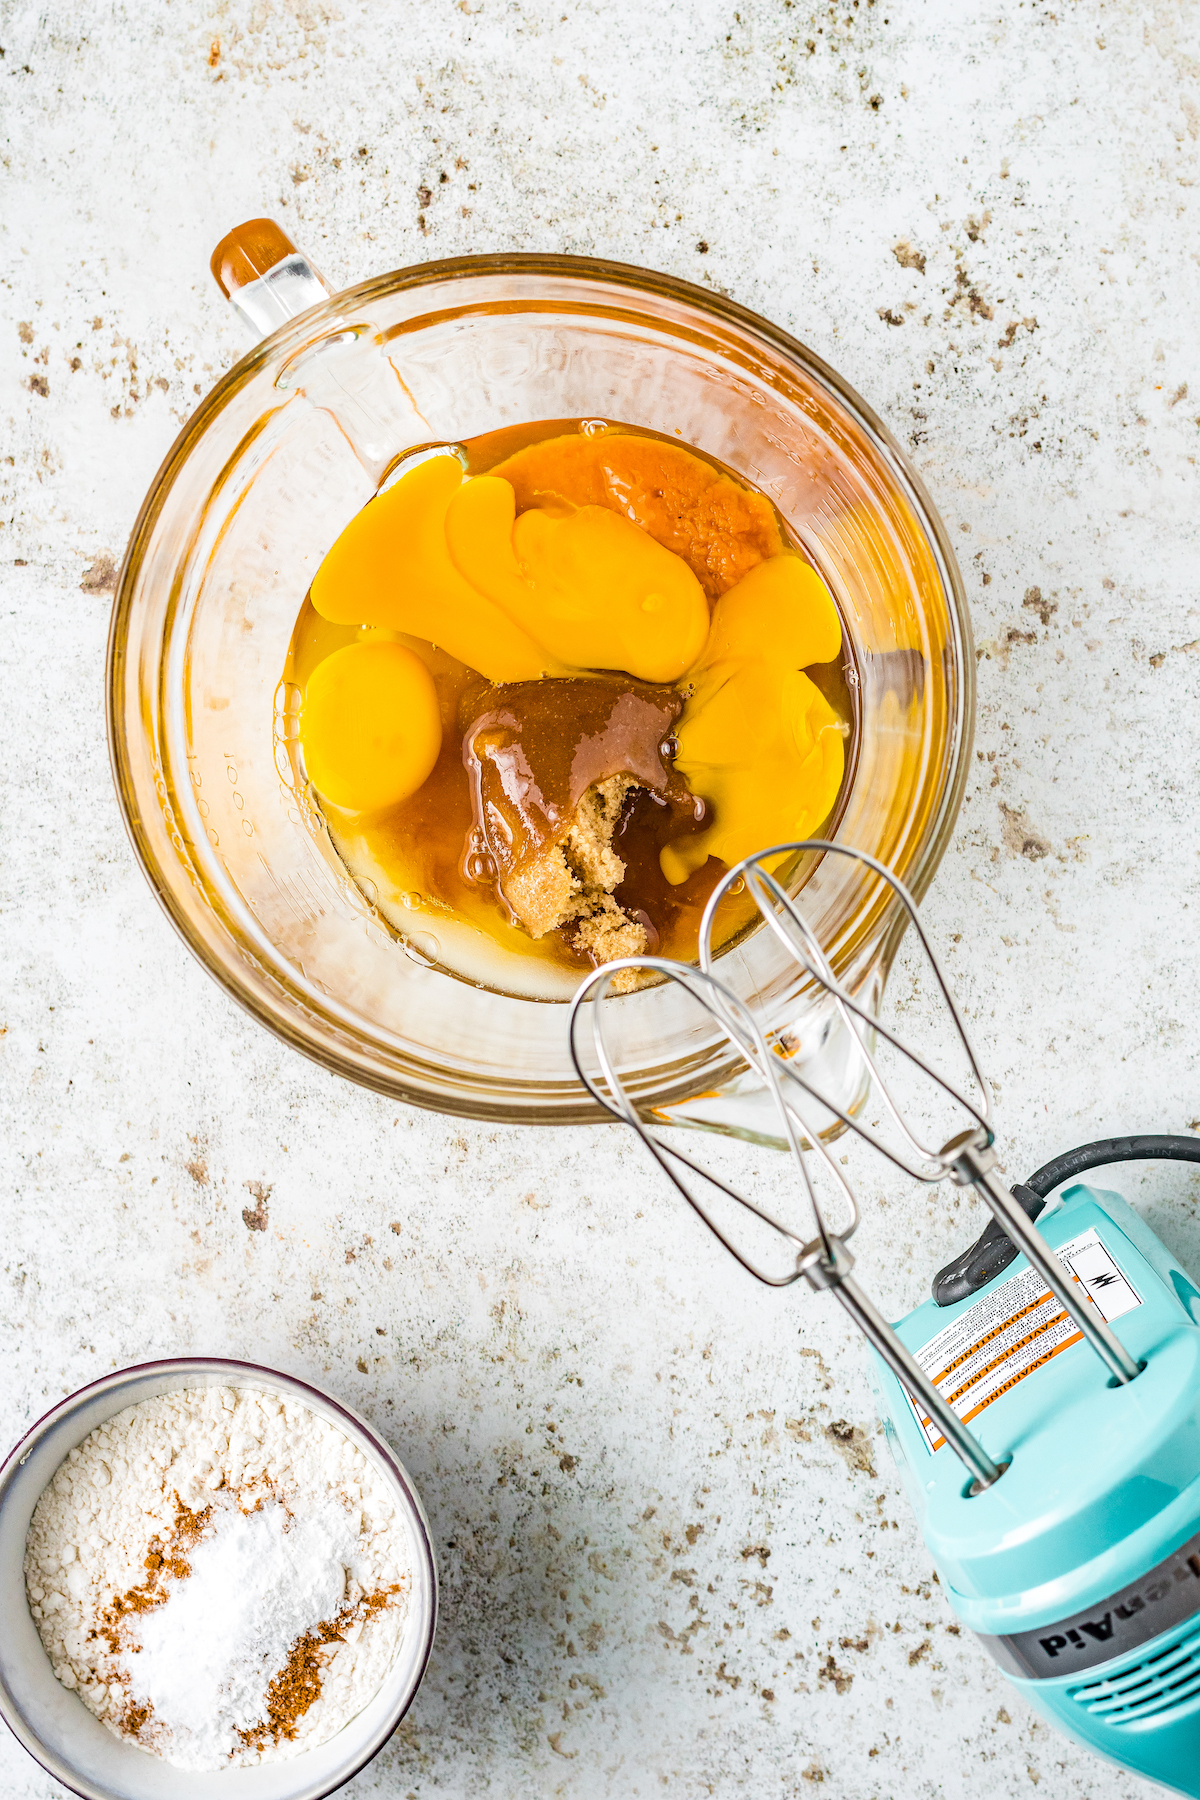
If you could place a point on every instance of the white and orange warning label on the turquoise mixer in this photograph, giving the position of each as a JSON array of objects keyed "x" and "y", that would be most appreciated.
[{"x": 1016, "y": 1331}]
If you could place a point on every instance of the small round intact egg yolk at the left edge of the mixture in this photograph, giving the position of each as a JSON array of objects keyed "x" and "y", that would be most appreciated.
[{"x": 370, "y": 726}]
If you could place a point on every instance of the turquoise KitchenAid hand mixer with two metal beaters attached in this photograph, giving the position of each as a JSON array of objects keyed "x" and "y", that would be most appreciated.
[{"x": 1053, "y": 1461}]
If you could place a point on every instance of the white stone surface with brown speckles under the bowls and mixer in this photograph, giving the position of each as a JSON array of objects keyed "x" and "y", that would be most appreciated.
[{"x": 650, "y": 1581}]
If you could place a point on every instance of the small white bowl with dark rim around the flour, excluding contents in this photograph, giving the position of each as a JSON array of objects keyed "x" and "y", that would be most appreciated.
[{"x": 53, "y": 1723}]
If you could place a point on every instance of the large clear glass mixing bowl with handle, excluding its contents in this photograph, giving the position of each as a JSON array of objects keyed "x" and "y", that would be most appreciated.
[{"x": 256, "y": 489}]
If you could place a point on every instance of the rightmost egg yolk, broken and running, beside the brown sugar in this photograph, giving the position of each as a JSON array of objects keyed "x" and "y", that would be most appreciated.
[{"x": 758, "y": 739}]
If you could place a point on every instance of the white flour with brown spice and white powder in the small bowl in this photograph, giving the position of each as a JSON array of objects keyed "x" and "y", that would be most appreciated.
[{"x": 184, "y": 1560}]
